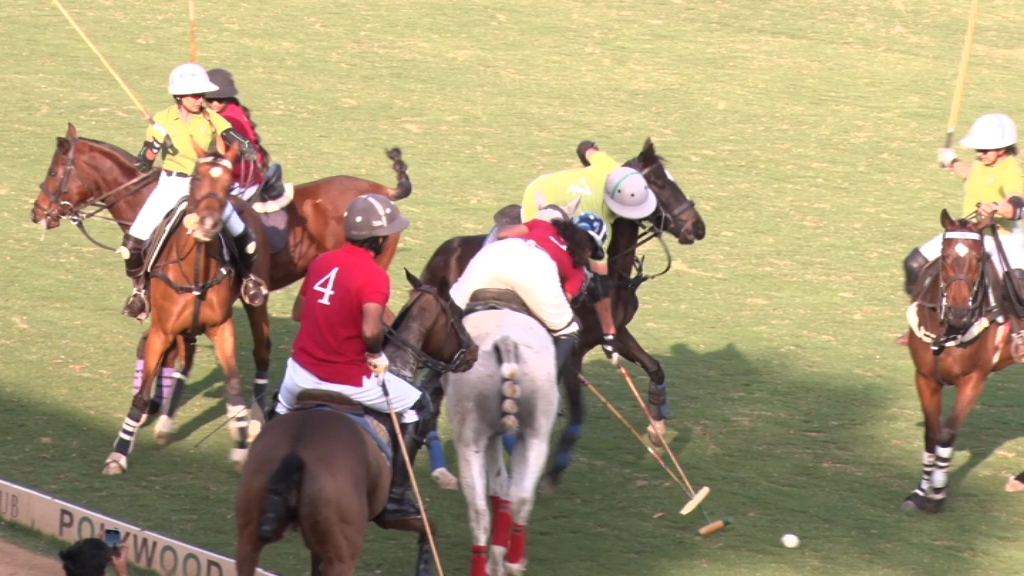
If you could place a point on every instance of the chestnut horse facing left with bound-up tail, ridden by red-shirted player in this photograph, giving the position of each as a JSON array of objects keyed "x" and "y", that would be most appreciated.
[{"x": 90, "y": 178}]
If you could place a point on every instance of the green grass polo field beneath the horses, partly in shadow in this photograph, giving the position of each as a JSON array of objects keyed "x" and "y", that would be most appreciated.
[{"x": 806, "y": 134}]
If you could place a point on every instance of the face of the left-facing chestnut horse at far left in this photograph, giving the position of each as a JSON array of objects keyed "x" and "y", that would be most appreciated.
[{"x": 62, "y": 190}]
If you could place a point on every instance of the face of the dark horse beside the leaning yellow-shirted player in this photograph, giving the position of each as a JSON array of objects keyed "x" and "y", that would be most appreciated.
[{"x": 676, "y": 215}]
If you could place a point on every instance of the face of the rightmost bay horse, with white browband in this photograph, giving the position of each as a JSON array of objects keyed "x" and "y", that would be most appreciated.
[{"x": 961, "y": 274}]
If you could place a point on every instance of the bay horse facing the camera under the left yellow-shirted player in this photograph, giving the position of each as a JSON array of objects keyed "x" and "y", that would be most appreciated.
[{"x": 194, "y": 289}]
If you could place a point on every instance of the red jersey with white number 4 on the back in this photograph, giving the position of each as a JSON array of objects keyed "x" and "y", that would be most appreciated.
[{"x": 330, "y": 341}]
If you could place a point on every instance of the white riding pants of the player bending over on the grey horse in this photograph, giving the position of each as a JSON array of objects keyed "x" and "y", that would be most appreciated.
[{"x": 520, "y": 266}]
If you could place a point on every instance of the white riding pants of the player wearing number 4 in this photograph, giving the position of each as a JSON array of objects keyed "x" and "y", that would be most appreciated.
[{"x": 370, "y": 395}]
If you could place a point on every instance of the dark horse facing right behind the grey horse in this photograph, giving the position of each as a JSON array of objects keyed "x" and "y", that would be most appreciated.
[{"x": 677, "y": 216}]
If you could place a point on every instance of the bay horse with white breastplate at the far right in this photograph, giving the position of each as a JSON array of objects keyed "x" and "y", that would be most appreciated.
[{"x": 960, "y": 324}]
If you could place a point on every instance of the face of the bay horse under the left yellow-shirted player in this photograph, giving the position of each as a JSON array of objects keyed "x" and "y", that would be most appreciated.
[{"x": 211, "y": 186}]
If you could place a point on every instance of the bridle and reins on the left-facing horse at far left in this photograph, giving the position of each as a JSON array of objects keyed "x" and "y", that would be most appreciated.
[{"x": 73, "y": 214}]
